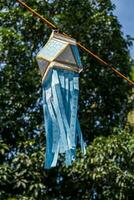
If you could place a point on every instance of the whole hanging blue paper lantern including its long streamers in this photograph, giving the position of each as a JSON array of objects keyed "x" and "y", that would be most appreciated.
[{"x": 59, "y": 62}]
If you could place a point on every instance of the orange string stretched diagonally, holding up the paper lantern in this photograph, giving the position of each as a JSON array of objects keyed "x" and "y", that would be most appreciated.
[{"x": 52, "y": 26}]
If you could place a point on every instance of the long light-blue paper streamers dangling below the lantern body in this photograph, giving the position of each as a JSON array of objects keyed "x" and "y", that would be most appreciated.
[{"x": 60, "y": 103}]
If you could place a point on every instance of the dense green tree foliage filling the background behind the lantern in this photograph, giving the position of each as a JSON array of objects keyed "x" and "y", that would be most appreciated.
[{"x": 105, "y": 100}]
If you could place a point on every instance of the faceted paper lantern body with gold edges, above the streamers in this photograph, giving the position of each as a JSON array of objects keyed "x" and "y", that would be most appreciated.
[{"x": 60, "y": 49}]
